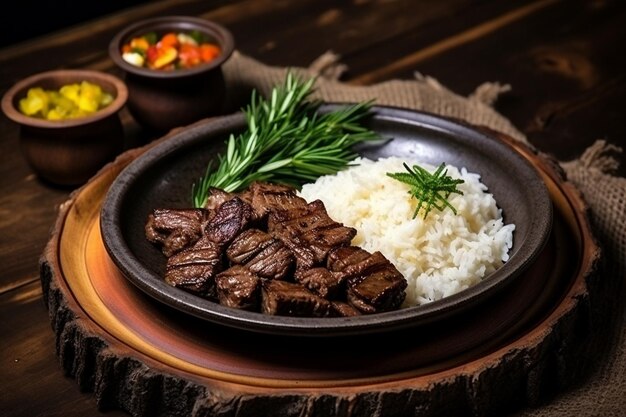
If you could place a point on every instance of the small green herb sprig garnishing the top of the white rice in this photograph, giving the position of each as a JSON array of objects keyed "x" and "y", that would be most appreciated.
[{"x": 430, "y": 190}]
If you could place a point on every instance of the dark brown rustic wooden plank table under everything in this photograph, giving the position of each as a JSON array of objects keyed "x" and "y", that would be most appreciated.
[{"x": 562, "y": 59}]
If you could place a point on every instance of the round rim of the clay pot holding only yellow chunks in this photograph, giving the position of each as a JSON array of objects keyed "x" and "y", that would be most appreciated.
[{"x": 120, "y": 92}]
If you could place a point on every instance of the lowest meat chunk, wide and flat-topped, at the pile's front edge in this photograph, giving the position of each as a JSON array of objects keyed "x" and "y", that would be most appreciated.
[{"x": 284, "y": 298}]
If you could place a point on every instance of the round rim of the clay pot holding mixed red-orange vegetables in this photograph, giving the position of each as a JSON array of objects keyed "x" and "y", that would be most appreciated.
[{"x": 222, "y": 35}]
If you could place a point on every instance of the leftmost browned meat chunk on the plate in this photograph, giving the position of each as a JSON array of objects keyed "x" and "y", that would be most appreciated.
[{"x": 175, "y": 229}]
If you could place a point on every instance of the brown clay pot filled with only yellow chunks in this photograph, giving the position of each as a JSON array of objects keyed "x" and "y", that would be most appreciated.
[{"x": 68, "y": 152}]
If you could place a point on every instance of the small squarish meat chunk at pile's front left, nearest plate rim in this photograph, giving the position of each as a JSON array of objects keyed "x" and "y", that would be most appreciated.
[{"x": 237, "y": 287}]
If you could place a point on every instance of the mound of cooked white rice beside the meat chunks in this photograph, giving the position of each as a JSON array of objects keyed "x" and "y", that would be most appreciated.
[{"x": 439, "y": 256}]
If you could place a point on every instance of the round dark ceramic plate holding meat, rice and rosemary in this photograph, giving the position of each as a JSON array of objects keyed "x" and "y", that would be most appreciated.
[{"x": 162, "y": 178}]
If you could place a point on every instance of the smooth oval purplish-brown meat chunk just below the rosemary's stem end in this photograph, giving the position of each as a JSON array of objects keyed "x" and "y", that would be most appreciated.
[{"x": 230, "y": 219}]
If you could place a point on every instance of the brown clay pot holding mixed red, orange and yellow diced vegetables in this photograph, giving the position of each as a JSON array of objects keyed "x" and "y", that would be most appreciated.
[{"x": 160, "y": 100}]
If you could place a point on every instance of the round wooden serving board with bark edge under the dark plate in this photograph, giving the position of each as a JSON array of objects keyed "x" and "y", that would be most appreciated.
[{"x": 148, "y": 359}]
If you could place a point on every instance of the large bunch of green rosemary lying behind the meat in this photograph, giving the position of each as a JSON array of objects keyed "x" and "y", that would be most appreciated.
[{"x": 286, "y": 141}]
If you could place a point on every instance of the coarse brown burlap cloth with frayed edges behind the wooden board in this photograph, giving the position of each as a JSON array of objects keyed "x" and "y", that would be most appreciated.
[{"x": 603, "y": 391}]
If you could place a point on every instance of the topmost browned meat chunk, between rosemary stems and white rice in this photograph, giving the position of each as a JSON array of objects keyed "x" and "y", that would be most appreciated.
[{"x": 265, "y": 197}]
